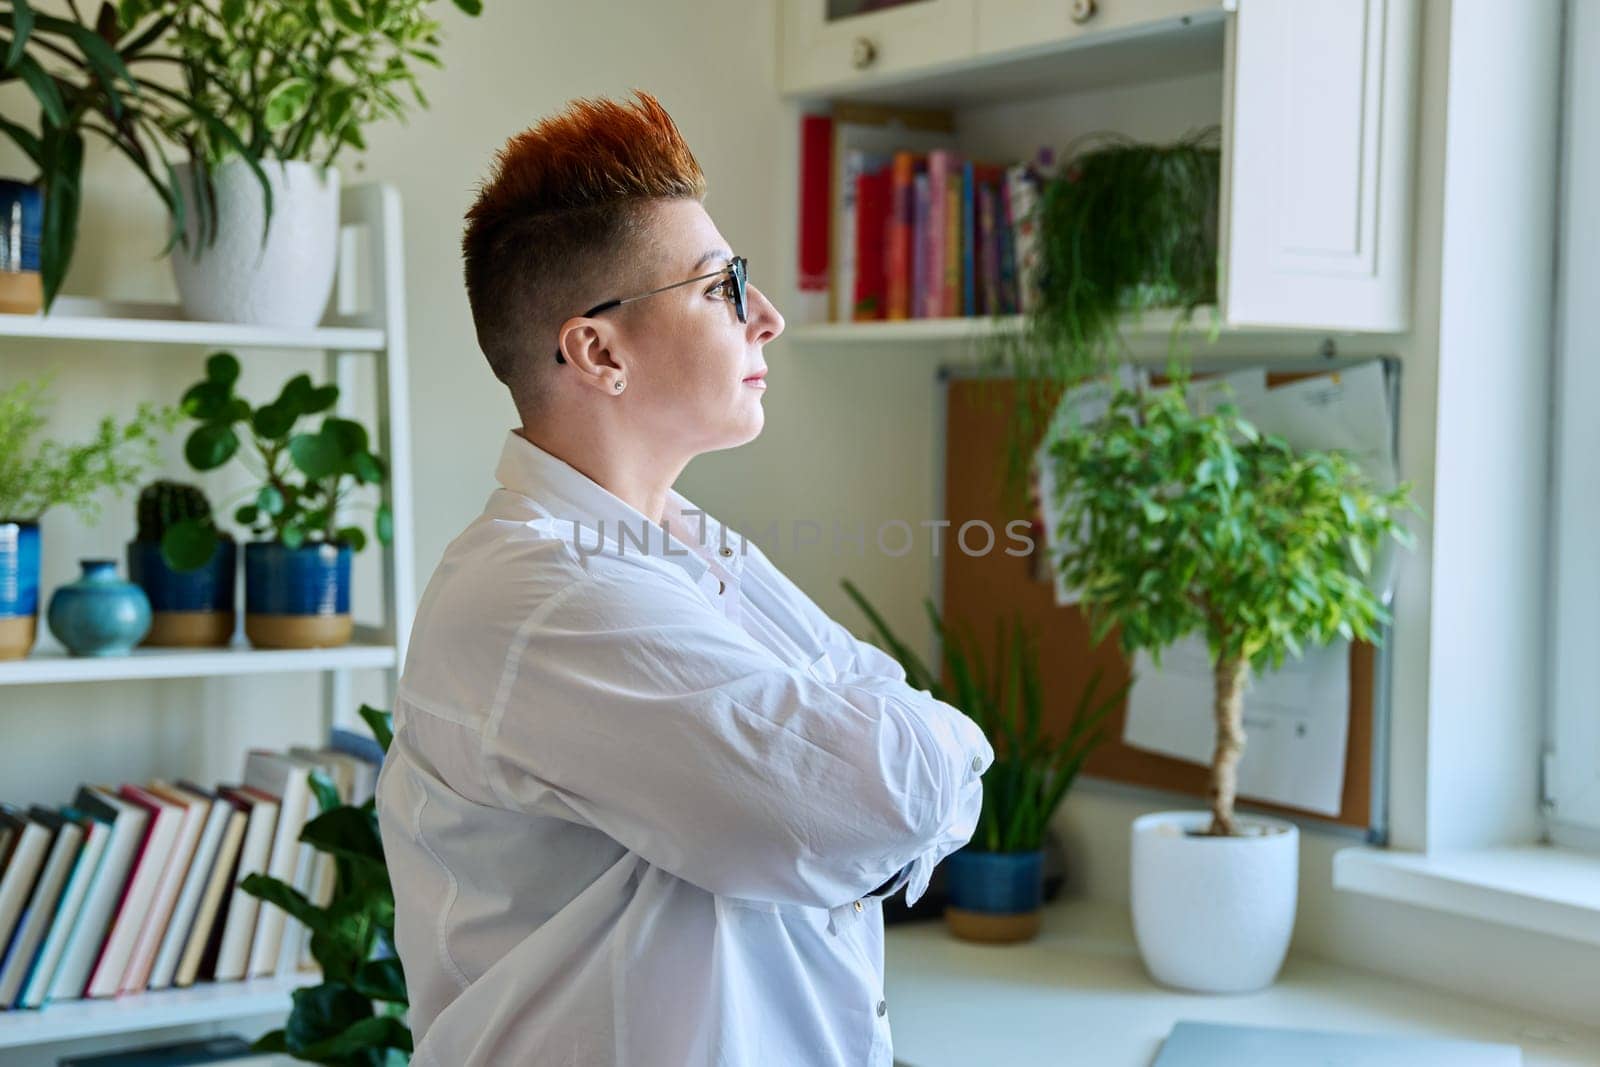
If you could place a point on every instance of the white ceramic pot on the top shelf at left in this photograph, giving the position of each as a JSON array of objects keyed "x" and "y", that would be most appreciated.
[{"x": 282, "y": 284}]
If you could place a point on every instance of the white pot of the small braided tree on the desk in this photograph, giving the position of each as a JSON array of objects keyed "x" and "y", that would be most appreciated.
[{"x": 1214, "y": 914}]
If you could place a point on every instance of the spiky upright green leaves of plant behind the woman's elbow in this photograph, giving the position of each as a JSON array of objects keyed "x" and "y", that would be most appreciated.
[{"x": 1002, "y": 695}]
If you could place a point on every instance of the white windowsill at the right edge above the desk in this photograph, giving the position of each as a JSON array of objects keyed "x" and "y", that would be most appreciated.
[{"x": 1545, "y": 889}]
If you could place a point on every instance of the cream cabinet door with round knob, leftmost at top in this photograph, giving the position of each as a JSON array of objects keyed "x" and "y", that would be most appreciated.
[{"x": 839, "y": 44}]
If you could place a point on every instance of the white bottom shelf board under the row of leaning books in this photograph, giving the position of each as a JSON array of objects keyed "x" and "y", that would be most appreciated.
[{"x": 76, "y": 1020}]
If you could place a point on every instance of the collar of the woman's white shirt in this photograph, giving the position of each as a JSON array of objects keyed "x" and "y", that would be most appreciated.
[{"x": 604, "y": 524}]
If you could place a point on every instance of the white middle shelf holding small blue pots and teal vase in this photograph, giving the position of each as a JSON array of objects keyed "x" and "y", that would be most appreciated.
[{"x": 52, "y": 665}]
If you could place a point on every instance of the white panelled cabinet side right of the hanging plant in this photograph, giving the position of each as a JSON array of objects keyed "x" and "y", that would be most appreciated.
[{"x": 1318, "y": 164}]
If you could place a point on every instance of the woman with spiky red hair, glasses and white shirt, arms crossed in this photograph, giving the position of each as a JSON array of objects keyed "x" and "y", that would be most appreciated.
[{"x": 644, "y": 797}]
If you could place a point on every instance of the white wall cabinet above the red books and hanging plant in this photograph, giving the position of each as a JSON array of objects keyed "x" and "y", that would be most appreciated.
[{"x": 1318, "y": 111}]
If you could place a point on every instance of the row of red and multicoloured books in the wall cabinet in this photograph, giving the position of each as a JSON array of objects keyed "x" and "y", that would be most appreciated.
[{"x": 903, "y": 226}]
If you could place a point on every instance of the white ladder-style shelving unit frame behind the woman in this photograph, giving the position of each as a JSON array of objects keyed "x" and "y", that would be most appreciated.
[{"x": 369, "y": 326}]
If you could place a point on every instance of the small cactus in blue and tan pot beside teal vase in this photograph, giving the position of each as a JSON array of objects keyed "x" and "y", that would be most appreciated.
[{"x": 185, "y": 565}]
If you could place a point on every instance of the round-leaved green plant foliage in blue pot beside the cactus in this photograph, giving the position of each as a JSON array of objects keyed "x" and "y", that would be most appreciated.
[{"x": 303, "y": 476}]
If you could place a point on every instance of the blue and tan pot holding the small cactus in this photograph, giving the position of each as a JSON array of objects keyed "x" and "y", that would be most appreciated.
[{"x": 191, "y": 609}]
